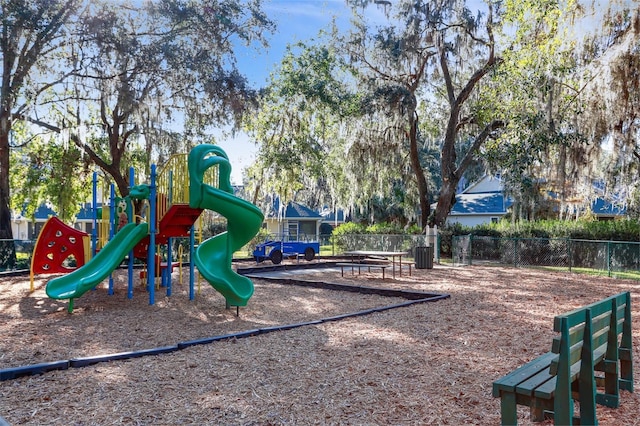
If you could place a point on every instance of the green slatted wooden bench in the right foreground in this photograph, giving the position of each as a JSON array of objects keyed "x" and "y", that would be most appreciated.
[{"x": 590, "y": 361}]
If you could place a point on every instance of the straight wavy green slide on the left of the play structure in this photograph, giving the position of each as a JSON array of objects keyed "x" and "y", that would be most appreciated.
[{"x": 78, "y": 282}]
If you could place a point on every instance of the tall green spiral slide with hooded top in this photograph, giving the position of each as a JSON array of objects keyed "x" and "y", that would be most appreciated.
[{"x": 213, "y": 257}]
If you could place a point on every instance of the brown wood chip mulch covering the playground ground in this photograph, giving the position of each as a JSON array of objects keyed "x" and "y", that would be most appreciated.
[{"x": 428, "y": 363}]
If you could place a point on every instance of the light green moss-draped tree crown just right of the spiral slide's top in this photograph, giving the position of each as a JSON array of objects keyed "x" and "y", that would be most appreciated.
[{"x": 296, "y": 127}]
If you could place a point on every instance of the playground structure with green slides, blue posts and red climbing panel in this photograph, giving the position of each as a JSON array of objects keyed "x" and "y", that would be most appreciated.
[{"x": 176, "y": 196}]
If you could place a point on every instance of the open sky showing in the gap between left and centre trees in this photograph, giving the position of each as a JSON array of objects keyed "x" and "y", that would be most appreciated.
[{"x": 297, "y": 20}]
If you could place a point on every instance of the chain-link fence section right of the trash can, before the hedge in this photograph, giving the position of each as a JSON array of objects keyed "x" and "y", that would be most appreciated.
[{"x": 615, "y": 258}]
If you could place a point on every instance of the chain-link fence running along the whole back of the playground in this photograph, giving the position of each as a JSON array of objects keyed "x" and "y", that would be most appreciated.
[{"x": 612, "y": 258}]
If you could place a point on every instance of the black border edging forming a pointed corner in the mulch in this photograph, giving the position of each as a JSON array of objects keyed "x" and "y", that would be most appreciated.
[{"x": 412, "y": 298}]
